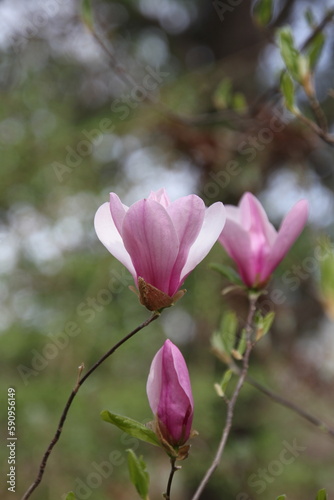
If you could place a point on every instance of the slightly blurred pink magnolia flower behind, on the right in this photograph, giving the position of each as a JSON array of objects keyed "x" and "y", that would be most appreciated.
[{"x": 252, "y": 241}]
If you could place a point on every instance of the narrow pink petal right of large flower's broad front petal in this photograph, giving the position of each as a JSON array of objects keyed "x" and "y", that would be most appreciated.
[{"x": 187, "y": 215}]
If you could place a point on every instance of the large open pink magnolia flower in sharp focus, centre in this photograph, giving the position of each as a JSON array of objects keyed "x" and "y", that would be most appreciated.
[{"x": 158, "y": 241}]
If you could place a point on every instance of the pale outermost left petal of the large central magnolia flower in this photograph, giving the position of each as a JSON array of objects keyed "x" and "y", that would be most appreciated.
[{"x": 108, "y": 234}]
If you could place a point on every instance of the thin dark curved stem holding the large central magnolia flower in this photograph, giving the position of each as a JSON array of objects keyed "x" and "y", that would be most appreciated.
[{"x": 79, "y": 383}]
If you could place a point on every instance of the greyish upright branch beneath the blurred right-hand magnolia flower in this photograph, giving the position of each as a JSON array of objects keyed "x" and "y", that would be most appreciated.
[{"x": 231, "y": 403}]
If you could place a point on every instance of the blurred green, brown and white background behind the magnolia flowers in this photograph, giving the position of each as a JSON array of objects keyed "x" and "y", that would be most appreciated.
[{"x": 131, "y": 97}]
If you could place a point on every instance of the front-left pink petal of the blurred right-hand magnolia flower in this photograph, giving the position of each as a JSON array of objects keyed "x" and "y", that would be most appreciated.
[{"x": 237, "y": 243}]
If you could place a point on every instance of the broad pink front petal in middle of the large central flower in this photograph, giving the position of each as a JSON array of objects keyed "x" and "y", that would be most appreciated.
[{"x": 151, "y": 240}]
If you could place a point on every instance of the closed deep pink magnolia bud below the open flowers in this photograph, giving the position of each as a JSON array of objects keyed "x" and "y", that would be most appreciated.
[{"x": 169, "y": 394}]
